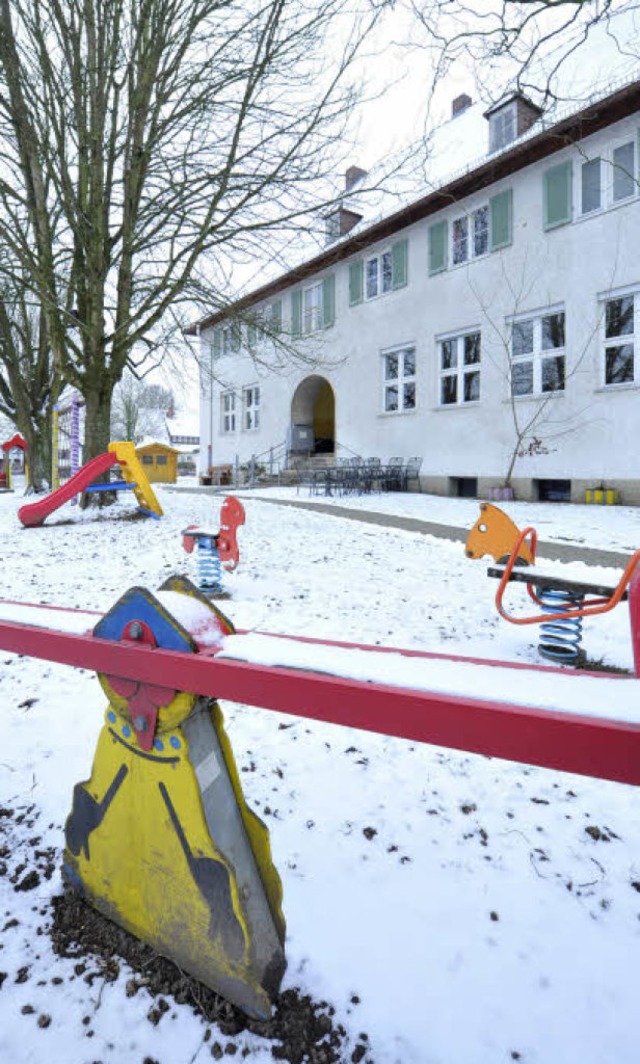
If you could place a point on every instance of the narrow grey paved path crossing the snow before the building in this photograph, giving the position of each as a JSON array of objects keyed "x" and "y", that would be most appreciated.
[{"x": 552, "y": 552}]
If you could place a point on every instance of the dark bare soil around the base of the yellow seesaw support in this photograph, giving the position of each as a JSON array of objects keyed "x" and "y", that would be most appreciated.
[{"x": 301, "y": 1030}]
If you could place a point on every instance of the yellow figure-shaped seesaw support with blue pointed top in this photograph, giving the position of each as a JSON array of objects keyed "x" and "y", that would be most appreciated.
[{"x": 161, "y": 839}]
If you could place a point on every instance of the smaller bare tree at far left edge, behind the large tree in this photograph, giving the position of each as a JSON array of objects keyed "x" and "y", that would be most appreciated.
[{"x": 29, "y": 385}]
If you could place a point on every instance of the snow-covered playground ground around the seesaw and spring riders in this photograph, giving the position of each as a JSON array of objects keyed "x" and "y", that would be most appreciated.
[{"x": 447, "y": 908}]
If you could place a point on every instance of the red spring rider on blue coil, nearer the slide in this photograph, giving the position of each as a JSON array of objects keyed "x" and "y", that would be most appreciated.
[{"x": 216, "y": 551}]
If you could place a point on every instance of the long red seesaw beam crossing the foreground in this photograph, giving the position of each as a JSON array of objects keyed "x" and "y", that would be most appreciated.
[{"x": 592, "y": 746}]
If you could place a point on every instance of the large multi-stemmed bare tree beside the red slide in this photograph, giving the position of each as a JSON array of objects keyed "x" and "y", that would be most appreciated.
[{"x": 147, "y": 144}]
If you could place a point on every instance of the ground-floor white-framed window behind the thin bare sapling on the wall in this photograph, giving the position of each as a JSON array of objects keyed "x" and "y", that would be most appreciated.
[{"x": 538, "y": 355}]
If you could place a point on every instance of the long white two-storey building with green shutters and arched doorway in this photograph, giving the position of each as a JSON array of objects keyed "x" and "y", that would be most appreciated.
[{"x": 499, "y": 314}]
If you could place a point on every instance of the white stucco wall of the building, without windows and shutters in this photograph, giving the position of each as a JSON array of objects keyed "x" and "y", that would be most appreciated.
[{"x": 591, "y": 433}]
